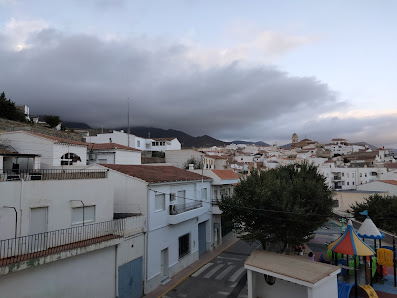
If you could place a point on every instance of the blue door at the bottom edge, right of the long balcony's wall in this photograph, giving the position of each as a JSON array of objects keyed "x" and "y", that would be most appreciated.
[{"x": 130, "y": 279}]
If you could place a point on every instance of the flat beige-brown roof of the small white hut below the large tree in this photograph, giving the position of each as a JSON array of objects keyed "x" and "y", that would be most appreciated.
[{"x": 296, "y": 269}]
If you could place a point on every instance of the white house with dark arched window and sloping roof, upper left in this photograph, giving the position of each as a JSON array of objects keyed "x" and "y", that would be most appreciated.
[{"x": 54, "y": 151}]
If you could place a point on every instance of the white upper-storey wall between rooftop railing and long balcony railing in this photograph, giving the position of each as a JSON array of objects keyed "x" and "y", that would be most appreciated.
[{"x": 56, "y": 196}]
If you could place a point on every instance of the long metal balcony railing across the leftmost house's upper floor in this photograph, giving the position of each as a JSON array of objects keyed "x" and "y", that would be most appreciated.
[{"x": 43, "y": 244}]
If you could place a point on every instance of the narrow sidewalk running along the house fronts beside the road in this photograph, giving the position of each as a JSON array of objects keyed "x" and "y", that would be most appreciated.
[{"x": 189, "y": 270}]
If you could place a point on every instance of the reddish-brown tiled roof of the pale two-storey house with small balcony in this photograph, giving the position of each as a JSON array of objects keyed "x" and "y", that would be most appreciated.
[{"x": 156, "y": 174}]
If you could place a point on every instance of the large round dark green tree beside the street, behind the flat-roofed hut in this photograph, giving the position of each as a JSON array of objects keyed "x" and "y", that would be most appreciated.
[{"x": 283, "y": 206}]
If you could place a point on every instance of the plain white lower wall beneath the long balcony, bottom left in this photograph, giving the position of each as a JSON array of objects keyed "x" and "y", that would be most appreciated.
[{"x": 86, "y": 275}]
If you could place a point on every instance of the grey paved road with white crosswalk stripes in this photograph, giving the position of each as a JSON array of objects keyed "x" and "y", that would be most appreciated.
[{"x": 224, "y": 276}]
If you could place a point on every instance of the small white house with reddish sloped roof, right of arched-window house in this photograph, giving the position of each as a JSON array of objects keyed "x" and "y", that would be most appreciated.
[{"x": 112, "y": 153}]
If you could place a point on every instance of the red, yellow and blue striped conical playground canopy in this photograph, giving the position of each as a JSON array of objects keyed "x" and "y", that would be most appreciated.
[{"x": 350, "y": 244}]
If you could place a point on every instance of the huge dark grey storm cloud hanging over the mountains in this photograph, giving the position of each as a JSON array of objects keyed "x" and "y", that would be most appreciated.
[{"x": 83, "y": 78}]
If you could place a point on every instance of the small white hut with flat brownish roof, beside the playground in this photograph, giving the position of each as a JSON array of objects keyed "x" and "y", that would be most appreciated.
[{"x": 275, "y": 275}]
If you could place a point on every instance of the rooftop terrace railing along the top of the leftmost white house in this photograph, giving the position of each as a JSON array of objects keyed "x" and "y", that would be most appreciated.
[{"x": 51, "y": 174}]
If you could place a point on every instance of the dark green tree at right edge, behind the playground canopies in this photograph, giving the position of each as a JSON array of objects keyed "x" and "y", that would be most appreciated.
[{"x": 381, "y": 209}]
